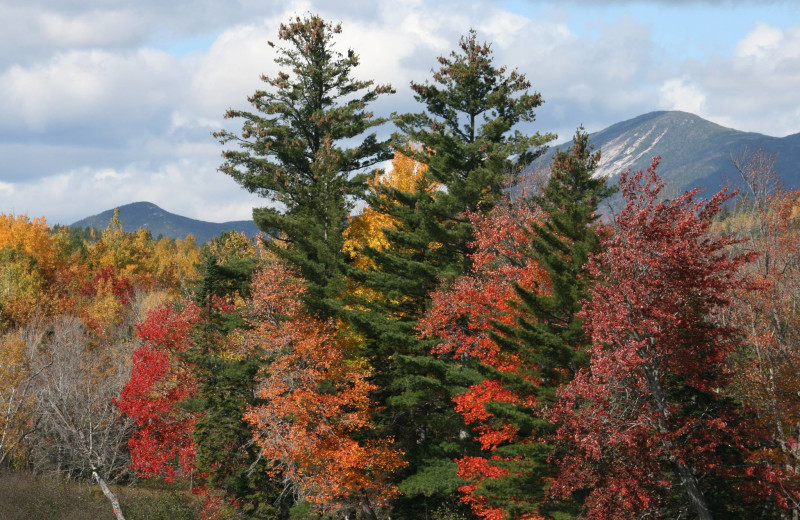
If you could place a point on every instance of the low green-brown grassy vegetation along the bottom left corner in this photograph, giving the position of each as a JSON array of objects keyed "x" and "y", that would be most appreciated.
[{"x": 25, "y": 497}]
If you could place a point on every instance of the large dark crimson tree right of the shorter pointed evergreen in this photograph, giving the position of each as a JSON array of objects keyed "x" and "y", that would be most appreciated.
[{"x": 647, "y": 427}]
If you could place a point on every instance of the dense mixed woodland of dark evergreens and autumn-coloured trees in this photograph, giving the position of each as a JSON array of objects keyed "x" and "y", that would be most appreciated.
[{"x": 453, "y": 338}]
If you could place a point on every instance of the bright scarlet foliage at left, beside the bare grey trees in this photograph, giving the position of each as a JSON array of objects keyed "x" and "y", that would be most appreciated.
[{"x": 160, "y": 379}]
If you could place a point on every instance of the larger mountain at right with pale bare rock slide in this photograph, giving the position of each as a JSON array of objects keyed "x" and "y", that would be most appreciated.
[{"x": 694, "y": 152}]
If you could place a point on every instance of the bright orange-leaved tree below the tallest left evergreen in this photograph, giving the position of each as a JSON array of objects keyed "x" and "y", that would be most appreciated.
[{"x": 314, "y": 397}]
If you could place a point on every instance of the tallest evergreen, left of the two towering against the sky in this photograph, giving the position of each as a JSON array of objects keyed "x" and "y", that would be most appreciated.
[{"x": 305, "y": 150}]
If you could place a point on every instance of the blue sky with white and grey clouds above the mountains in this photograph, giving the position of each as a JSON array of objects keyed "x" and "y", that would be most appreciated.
[{"x": 107, "y": 102}]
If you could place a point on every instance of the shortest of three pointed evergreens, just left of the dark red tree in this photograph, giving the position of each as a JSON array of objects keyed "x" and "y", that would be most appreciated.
[{"x": 548, "y": 337}]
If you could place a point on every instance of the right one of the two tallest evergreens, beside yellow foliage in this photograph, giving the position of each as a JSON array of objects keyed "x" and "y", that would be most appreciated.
[{"x": 467, "y": 139}]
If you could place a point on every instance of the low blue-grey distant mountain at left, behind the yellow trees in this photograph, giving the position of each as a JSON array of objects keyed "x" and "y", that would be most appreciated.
[{"x": 161, "y": 222}]
